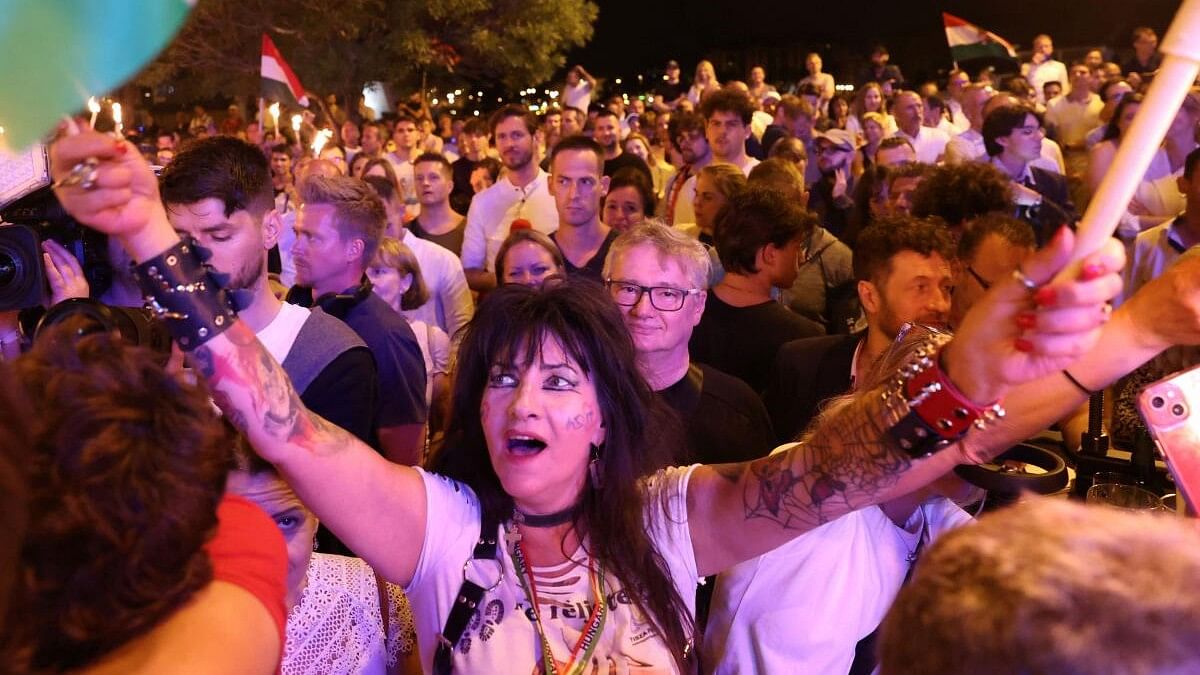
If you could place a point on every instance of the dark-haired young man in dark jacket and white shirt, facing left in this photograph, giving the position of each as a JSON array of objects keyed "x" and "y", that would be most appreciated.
[{"x": 1013, "y": 136}]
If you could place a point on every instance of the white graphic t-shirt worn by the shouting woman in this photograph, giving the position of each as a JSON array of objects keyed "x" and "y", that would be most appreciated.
[{"x": 502, "y": 636}]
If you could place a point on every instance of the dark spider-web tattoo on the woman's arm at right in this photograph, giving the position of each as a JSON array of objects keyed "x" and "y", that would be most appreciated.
[{"x": 844, "y": 467}]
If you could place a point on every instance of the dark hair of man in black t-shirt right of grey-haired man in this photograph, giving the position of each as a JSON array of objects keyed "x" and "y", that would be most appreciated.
[{"x": 752, "y": 220}]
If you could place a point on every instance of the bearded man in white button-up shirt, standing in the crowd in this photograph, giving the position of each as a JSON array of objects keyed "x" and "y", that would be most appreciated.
[{"x": 521, "y": 198}]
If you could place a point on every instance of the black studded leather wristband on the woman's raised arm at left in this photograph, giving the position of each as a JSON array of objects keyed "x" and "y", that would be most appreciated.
[{"x": 185, "y": 295}]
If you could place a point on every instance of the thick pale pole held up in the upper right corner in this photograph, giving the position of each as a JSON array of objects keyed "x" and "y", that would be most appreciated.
[{"x": 1181, "y": 63}]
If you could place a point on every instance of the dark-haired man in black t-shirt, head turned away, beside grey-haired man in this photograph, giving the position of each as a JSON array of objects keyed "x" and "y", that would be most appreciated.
[{"x": 760, "y": 237}]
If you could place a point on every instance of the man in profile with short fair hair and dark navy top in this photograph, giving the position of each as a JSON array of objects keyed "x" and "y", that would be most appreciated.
[{"x": 338, "y": 232}]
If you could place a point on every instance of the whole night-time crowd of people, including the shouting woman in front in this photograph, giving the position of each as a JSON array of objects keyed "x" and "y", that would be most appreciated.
[{"x": 677, "y": 385}]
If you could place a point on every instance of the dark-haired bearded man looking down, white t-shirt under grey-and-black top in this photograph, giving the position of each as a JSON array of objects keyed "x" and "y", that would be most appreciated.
[{"x": 219, "y": 190}]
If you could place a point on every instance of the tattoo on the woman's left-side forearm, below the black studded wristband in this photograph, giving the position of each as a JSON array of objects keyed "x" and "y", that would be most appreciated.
[{"x": 273, "y": 411}]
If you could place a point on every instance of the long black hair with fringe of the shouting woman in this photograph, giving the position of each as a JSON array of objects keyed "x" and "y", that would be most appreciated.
[{"x": 512, "y": 325}]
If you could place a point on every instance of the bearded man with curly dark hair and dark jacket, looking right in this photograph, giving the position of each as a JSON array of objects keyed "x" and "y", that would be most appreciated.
[{"x": 904, "y": 272}]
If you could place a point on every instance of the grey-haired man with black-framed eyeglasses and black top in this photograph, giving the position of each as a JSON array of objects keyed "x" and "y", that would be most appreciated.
[{"x": 657, "y": 276}]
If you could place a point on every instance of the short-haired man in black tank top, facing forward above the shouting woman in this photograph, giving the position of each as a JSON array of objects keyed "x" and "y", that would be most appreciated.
[{"x": 579, "y": 189}]
